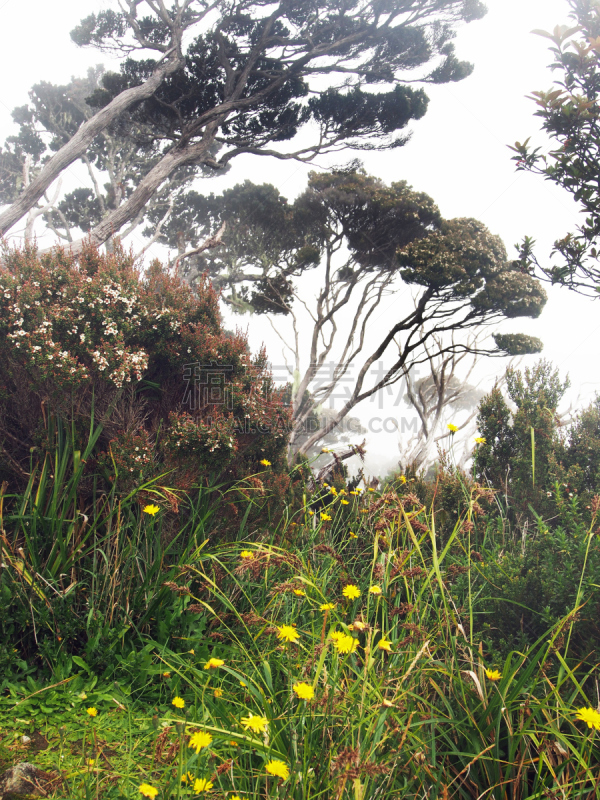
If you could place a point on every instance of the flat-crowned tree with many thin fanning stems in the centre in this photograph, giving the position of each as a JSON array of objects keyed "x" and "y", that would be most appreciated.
[{"x": 354, "y": 241}]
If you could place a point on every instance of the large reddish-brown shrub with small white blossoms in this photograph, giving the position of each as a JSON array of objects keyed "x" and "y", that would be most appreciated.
[{"x": 89, "y": 340}]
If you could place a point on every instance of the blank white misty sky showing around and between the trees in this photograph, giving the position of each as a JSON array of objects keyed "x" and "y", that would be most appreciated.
[{"x": 458, "y": 154}]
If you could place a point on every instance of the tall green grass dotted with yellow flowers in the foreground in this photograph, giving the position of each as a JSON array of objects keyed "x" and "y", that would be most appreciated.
[{"x": 407, "y": 705}]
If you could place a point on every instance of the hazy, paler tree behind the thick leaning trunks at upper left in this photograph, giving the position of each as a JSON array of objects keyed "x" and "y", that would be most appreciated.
[{"x": 114, "y": 162}]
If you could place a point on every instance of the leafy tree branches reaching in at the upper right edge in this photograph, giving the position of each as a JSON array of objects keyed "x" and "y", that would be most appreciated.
[{"x": 571, "y": 116}]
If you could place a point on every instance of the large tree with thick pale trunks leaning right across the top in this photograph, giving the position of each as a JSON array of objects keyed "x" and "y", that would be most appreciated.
[{"x": 253, "y": 76}]
